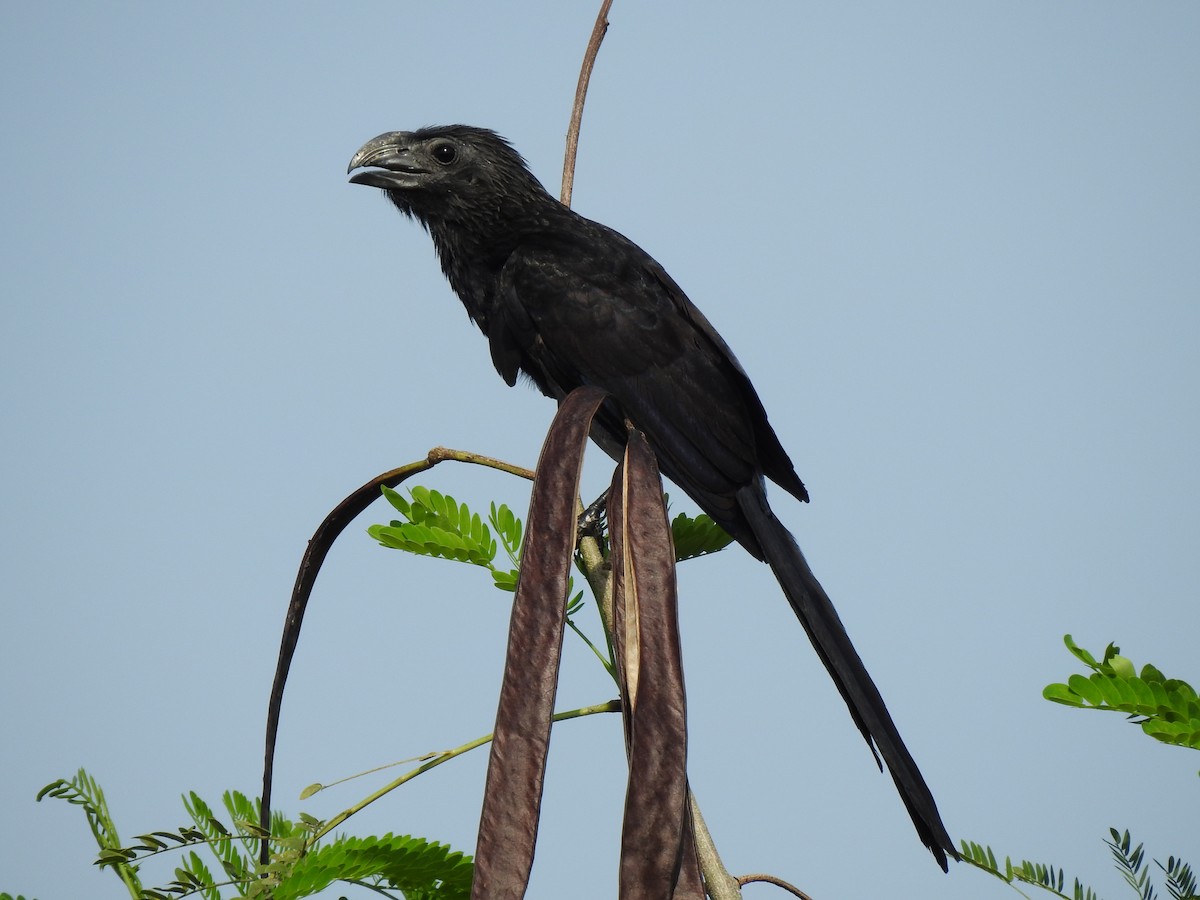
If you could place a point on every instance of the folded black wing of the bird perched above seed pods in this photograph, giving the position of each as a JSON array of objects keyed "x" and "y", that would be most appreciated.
[{"x": 597, "y": 310}]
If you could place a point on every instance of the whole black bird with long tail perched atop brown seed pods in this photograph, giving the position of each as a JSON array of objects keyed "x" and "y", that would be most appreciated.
[{"x": 569, "y": 302}]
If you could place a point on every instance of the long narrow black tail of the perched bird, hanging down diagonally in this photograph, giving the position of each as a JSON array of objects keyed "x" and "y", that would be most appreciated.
[{"x": 829, "y": 635}]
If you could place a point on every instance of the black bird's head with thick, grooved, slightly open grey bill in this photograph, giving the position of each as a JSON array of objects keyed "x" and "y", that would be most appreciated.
[{"x": 445, "y": 173}]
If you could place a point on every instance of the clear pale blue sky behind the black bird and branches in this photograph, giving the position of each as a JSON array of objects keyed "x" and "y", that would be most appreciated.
[{"x": 956, "y": 247}]
